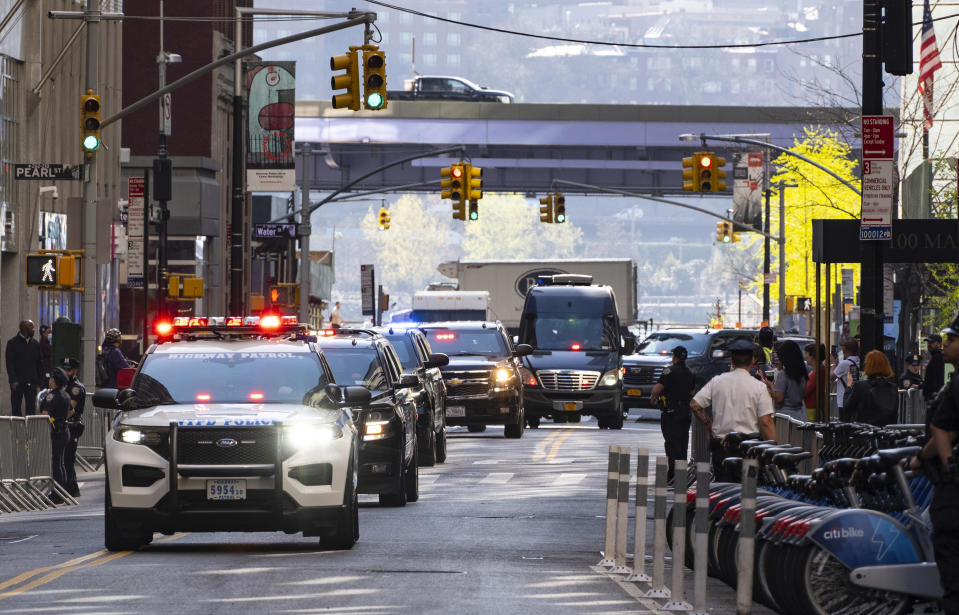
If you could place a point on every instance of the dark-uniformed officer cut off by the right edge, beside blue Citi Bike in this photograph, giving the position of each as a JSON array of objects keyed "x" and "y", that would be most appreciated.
[{"x": 944, "y": 511}]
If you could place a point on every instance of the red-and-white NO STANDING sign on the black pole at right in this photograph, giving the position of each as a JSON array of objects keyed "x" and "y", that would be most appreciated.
[{"x": 877, "y": 178}]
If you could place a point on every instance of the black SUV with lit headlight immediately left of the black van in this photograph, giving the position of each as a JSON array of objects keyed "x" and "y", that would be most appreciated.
[{"x": 483, "y": 381}]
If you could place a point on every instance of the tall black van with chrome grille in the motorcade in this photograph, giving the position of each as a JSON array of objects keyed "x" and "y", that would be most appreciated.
[{"x": 576, "y": 365}]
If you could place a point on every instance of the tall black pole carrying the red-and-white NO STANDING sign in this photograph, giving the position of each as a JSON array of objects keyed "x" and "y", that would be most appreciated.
[{"x": 871, "y": 316}]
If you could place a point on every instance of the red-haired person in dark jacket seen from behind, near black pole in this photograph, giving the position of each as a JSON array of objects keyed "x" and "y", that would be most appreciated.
[{"x": 876, "y": 399}]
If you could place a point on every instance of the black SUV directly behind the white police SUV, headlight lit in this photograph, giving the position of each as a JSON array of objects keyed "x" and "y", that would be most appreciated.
[{"x": 388, "y": 456}]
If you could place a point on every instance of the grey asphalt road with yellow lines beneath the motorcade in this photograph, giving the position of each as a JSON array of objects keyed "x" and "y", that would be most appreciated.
[{"x": 505, "y": 526}]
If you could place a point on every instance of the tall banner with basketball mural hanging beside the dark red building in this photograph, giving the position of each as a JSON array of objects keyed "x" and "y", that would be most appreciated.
[{"x": 271, "y": 96}]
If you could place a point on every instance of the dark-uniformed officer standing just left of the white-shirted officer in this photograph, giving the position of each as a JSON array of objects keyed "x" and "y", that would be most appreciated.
[{"x": 672, "y": 394}]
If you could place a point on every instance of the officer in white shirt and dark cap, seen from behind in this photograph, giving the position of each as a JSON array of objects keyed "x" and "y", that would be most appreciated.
[{"x": 739, "y": 402}]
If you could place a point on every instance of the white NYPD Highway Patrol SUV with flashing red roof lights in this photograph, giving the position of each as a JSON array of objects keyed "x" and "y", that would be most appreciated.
[{"x": 230, "y": 425}]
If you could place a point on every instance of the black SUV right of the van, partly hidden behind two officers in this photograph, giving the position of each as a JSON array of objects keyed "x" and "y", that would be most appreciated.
[{"x": 707, "y": 358}]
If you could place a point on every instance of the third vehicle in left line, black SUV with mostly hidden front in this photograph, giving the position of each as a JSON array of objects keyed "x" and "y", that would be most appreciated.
[{"x": 416, "y": 357}]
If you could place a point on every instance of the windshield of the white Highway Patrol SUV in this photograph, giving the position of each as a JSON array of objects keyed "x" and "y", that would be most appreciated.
[{"x": 229, "y": 377}]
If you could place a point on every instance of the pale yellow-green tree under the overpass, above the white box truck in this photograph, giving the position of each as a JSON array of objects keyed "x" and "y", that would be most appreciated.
[{"x": 509, "y": 228}]
